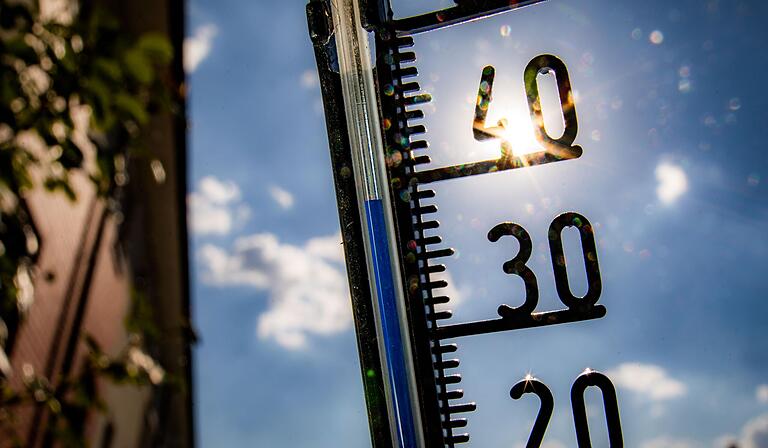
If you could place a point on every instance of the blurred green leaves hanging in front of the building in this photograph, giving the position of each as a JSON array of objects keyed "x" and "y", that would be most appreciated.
[{"x": 52, "y": 74}]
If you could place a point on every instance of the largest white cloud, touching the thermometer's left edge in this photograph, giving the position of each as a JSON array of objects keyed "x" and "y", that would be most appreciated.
[{"x": 308, "y": 293}]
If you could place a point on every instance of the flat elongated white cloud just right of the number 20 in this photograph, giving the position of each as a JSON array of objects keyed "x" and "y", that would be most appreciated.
[{"x": 648, "y": 380}]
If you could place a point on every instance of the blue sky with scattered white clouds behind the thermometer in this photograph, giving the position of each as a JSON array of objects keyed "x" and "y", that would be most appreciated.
[{"x": 673, "y": 177}]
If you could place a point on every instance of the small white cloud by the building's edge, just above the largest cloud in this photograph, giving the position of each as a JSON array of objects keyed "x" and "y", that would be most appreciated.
[{"x": 214, "y": 208}]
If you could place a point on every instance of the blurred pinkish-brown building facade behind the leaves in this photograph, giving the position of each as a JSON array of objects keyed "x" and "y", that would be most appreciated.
[{"x": 94, "y": 263}]
